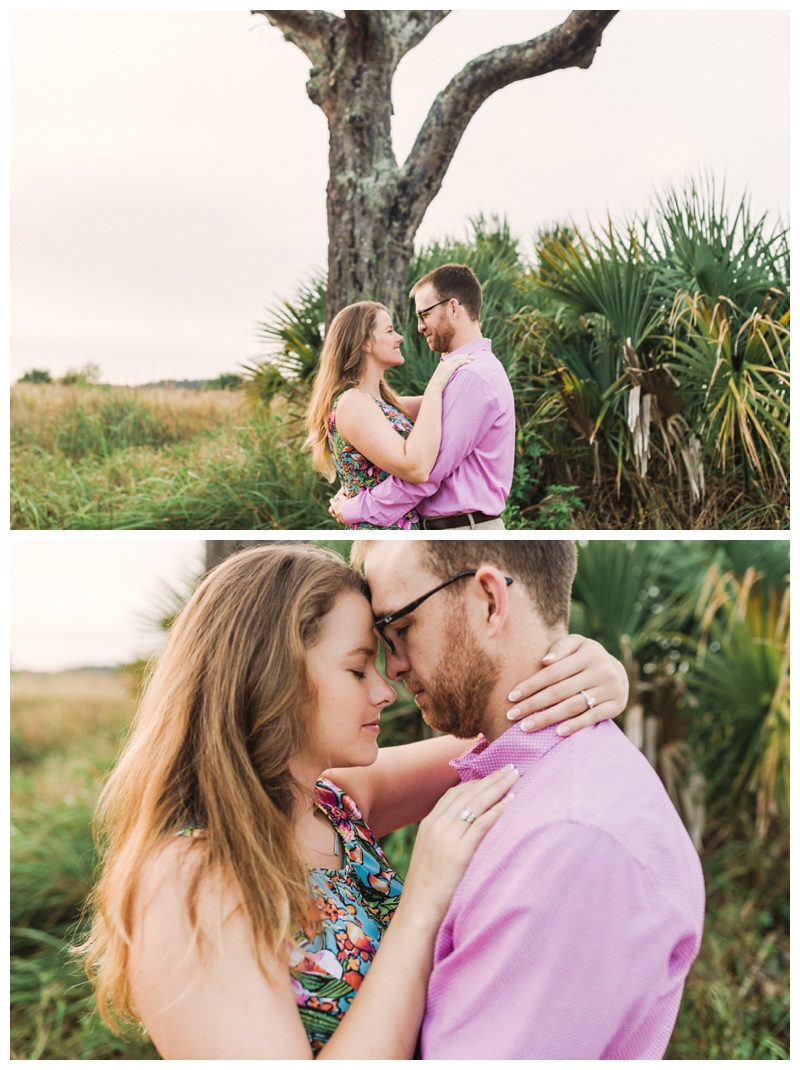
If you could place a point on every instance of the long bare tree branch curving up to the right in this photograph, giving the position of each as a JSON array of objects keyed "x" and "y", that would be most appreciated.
[{"x": 572, "y": 44}]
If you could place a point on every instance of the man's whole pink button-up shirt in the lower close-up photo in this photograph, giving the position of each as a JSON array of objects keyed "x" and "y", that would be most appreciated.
[{"x": 576, "y": 924}]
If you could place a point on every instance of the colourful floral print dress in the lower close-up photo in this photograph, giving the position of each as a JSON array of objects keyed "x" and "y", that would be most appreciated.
[{"x": 357, "y": 905}]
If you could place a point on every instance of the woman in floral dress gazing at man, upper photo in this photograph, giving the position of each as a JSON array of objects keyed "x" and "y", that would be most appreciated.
[{"x": 358, "y": 427}]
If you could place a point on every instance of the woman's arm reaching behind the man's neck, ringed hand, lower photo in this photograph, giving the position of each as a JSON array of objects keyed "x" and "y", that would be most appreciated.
[{"x": 406, "y": 782}]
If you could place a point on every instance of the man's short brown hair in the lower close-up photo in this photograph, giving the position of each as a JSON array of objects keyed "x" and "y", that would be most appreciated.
[{"x": 545, "y": 569}]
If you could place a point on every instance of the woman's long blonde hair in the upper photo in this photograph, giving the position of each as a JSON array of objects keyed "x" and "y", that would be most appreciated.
[{"x": 342, "y": 364}]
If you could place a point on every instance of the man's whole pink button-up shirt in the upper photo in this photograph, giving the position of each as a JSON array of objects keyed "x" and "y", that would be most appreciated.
[{"x": 475, "y": 465}]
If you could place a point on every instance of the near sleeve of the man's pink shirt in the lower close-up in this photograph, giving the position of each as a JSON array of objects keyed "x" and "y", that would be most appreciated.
[{"x": 566, "y": 953}]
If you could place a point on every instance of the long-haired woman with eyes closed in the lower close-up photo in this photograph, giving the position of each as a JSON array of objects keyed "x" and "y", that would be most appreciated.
[{"x": 244, "y": 906}]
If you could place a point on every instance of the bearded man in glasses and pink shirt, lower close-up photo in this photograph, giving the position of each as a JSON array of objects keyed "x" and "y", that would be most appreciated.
[{"x": 574, "y": 929}]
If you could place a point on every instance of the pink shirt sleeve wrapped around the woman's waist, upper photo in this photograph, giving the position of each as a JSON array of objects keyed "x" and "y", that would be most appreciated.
[{"x": 469, "y": 408}]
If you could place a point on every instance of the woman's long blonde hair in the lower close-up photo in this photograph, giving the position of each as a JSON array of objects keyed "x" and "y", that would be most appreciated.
[{"x": 227, "y": 708}]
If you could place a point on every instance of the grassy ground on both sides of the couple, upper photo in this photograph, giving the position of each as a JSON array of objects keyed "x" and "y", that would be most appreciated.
[{"x": 107, "y": 457}]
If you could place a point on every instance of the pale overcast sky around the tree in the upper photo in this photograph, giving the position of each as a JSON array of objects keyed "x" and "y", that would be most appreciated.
[{"x": 168, "y": 171}]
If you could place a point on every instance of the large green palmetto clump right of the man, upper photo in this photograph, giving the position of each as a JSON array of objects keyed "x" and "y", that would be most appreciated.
[{"x": 665, "y": 347}]
